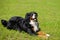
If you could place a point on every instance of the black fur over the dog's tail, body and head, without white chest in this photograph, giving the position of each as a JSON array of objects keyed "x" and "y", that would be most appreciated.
[{"x": 19, "y": 23}]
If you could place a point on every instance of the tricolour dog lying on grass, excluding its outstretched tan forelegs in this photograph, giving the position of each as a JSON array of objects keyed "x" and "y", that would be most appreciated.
[{"x": 29, "y": 24}]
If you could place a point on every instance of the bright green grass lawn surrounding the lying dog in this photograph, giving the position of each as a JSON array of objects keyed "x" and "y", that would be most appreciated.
[{"x": 48, "y": 17}]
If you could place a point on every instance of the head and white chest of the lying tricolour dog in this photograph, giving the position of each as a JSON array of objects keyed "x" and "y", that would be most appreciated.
[{"x": 32, "y": 19}]
